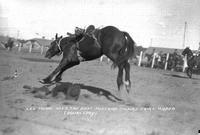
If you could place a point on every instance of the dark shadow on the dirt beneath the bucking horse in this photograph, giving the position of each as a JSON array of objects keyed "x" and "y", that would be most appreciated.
[{"x": 70, "y": 90}]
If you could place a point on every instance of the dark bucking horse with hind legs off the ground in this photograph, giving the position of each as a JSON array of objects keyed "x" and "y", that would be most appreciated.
[{"x": 110, "y": 41}]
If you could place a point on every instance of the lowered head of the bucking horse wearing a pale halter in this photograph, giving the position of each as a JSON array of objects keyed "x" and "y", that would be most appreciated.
[{"x": 55, "y": 48}]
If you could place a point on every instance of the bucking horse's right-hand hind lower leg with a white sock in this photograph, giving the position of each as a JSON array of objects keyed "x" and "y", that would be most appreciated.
[{"x": 127, "y": 76}]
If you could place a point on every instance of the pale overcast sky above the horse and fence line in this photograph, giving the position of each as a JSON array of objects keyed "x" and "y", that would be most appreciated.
[{"x": 159, "y": 20}]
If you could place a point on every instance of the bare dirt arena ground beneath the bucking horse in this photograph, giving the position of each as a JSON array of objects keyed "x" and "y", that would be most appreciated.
[{"x": 160, "y": 103}]
